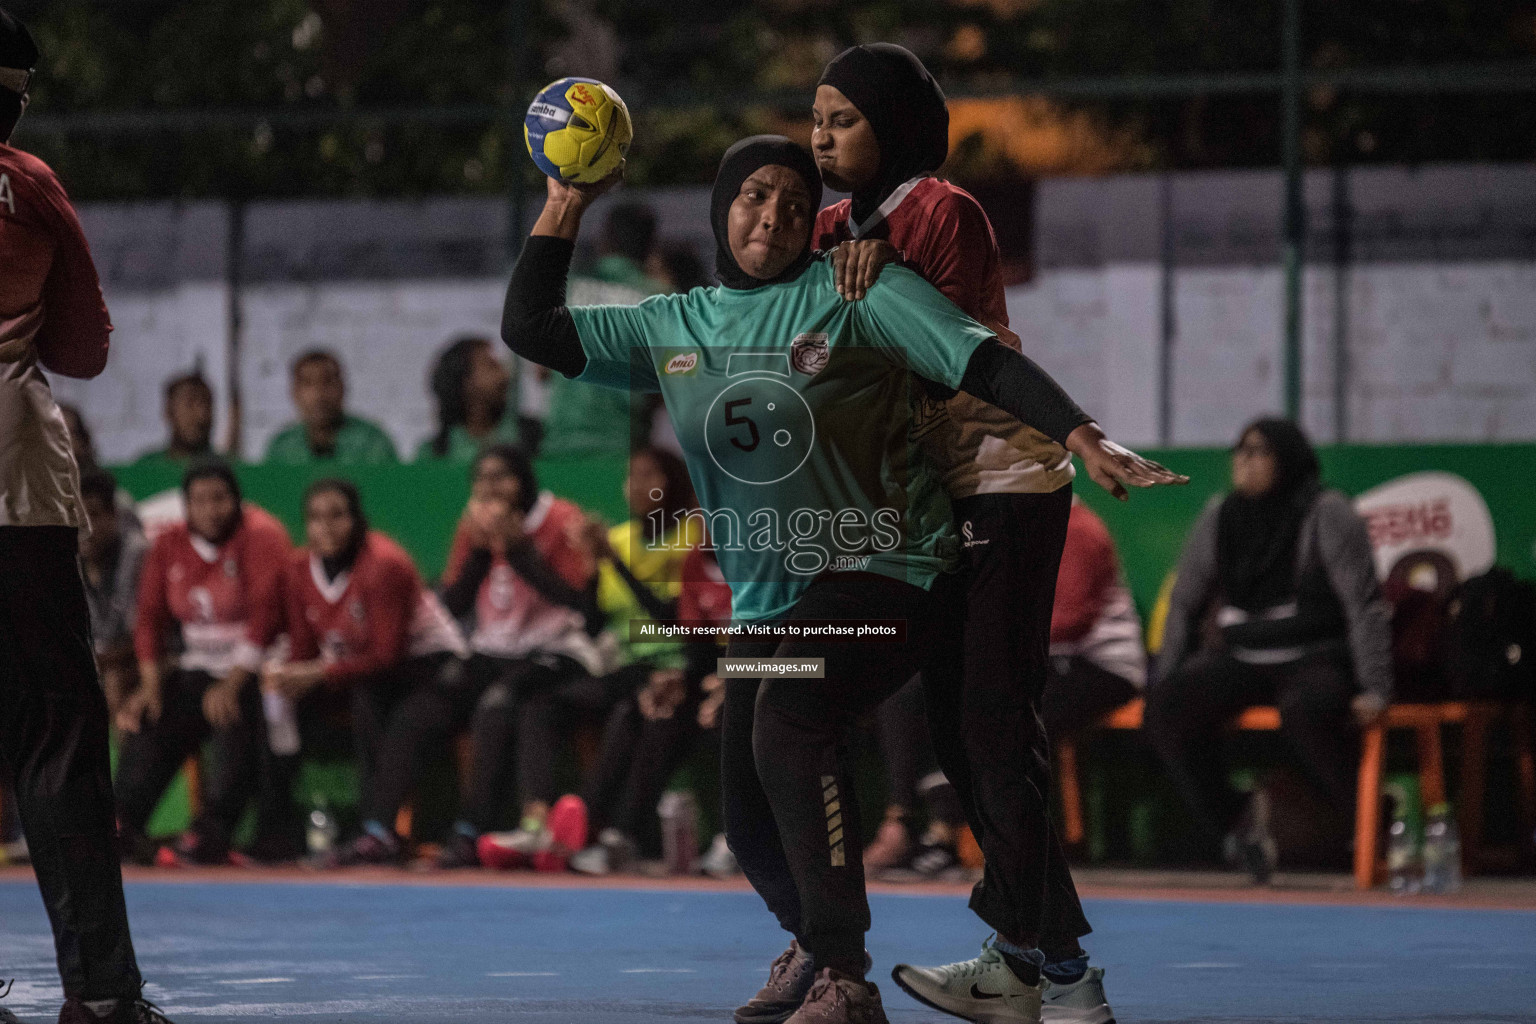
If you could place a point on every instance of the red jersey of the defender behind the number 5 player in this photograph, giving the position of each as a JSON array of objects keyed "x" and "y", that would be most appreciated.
[{"x": 945, "y": 237}]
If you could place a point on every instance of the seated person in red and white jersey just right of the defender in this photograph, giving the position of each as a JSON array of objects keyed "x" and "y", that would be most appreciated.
[{"x": 1097, "y": 656}]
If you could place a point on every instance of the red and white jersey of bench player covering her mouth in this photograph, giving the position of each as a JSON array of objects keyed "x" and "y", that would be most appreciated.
[{"x": 512, "y": 618}]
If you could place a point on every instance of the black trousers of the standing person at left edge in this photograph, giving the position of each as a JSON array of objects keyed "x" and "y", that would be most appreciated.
[{"x": 55, "y": 753}]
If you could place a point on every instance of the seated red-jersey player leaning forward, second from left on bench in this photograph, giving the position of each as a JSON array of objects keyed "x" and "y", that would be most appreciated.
[{"x": 363, "y": 632}]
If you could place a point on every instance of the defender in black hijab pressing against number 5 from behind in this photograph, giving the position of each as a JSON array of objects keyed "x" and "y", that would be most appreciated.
[{"x": 881, "y": 131}]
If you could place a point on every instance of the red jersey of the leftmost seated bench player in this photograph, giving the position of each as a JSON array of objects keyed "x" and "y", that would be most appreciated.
[{"x": 227, "y": 600}]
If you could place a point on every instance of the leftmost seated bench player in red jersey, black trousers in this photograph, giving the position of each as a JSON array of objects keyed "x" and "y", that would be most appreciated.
[{"x": 217, "y": 581}]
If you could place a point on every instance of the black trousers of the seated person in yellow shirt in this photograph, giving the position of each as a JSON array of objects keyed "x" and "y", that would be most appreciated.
[{"x": 637, "y": 759}]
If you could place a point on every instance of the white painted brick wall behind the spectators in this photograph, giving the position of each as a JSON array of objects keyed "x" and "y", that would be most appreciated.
[{"x": 1442, "y": 303}]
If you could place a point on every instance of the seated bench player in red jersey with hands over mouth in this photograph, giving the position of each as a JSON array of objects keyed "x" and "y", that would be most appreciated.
[{"x": 518, "y": 573}]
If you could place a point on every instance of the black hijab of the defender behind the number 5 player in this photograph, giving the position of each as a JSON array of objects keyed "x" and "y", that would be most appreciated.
[{"x": 904, "y": 107}]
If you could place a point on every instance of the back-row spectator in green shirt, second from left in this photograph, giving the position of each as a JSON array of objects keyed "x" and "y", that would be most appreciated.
[{"x": 325, "y": 432}]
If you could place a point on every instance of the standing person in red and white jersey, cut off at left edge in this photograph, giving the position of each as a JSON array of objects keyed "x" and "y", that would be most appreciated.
[{"x": 55, "y": 727}]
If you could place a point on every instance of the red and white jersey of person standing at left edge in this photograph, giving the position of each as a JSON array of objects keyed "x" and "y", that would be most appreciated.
[{"x": 51, "y": 317}]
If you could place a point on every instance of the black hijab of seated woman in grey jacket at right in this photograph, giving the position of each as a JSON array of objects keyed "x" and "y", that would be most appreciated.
[{"x": 1257, "y": 537}]
